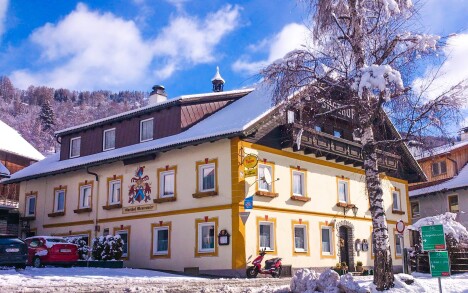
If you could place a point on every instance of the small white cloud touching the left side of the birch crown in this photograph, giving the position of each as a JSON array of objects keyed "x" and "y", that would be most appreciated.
[{"x": 292, "y": 36}]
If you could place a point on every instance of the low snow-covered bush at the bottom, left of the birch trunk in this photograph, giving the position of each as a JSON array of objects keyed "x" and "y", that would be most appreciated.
[{"x": 308, "y": 281}]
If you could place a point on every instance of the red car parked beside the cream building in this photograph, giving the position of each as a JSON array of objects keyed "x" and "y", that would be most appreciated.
[{"x": 50, "y": 250}]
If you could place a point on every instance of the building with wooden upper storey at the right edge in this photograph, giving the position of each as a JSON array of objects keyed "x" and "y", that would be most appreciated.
[{"x": 447, "y": 187}]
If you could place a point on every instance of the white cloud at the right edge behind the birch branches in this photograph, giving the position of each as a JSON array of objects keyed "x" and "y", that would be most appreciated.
[{"x": 454, "y": 70}]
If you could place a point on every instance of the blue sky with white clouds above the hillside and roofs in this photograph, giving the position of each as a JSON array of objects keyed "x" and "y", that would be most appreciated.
[{"x": 134, "y": 44}]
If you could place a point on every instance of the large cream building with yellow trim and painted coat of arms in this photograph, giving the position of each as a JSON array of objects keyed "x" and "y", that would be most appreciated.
[{"x": 171, "y": 178}]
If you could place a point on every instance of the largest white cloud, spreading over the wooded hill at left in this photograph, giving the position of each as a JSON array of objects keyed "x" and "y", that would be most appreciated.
[{"x": 91, "y": 50}]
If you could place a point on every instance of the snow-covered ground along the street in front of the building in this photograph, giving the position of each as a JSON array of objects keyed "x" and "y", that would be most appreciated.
[{"x": 52, "y": 279}]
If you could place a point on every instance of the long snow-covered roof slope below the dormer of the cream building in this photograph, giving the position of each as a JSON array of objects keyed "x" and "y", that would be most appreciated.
[{"x": 232, "y": 119}]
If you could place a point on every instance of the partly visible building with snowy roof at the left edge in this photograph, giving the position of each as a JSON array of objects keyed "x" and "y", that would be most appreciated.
[{"x": 15, "y": 154}]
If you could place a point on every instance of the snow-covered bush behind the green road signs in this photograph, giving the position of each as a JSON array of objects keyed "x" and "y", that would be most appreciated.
[{"x": 451, "y": 227}]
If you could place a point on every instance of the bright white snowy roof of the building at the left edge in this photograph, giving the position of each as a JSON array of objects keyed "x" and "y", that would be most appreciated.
[{"x": 12, "y": 142}]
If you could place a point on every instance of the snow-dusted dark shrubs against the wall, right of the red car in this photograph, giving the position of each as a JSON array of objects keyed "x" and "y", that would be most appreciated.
[{"x": 107, "y": 247}]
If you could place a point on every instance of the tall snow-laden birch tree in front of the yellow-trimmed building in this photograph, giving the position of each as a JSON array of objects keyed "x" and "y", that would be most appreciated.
[{"x": 360, "y": 54}]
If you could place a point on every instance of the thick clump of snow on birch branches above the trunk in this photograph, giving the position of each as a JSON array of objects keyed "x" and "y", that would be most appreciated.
[{"x": 378, "y": 77}]
